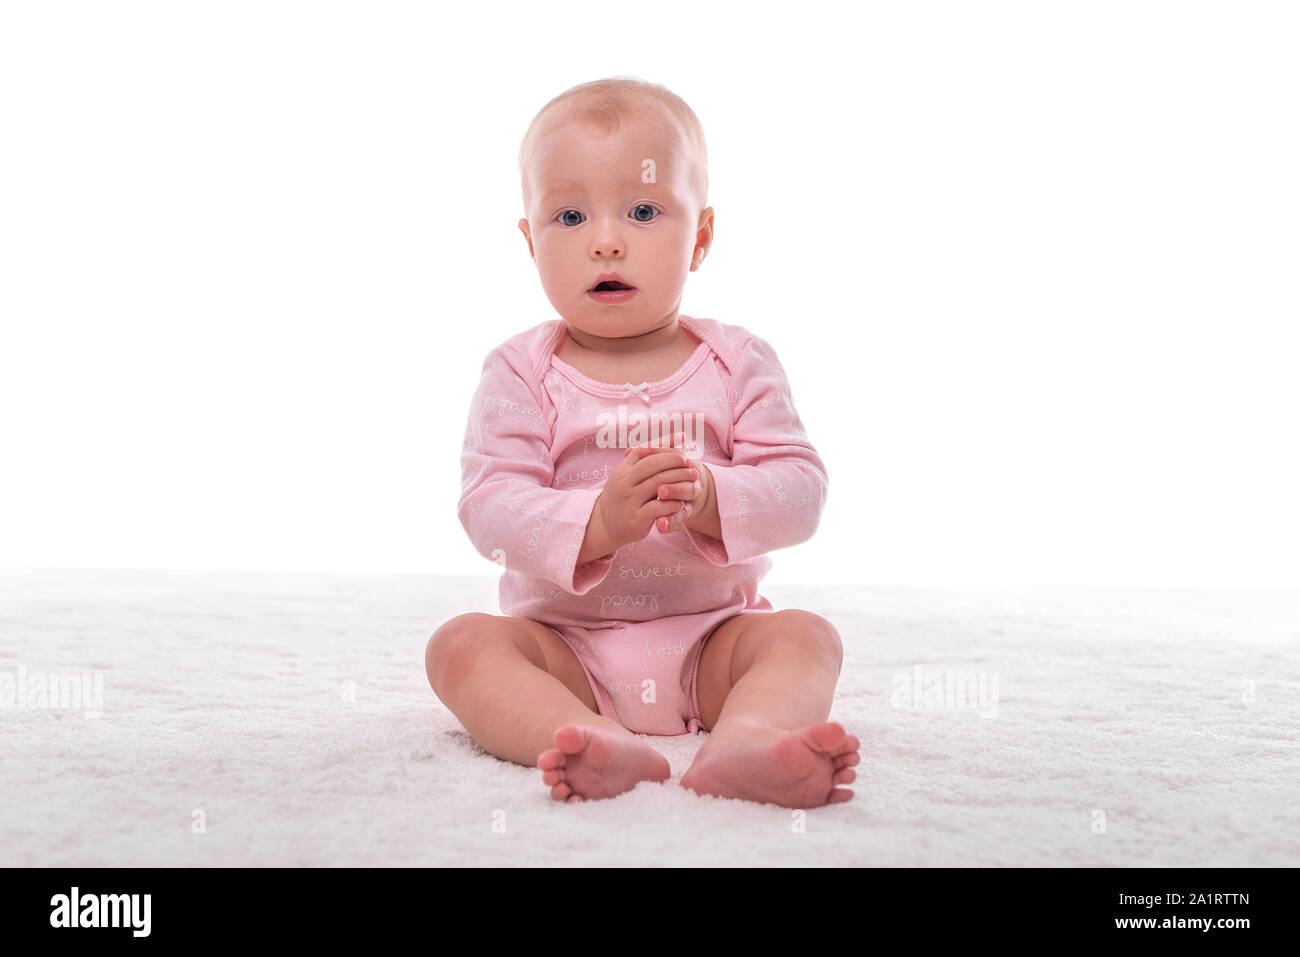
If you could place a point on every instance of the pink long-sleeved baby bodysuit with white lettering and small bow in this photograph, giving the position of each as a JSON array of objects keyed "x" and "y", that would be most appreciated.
[{"x": 540, "y": 445}]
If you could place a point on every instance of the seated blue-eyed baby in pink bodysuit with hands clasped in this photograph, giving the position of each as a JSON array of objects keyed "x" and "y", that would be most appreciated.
[{"x": 630, "y": 467}]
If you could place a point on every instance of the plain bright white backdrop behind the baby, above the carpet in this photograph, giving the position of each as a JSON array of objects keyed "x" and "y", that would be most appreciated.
[{"x": 1030, "y": 267}]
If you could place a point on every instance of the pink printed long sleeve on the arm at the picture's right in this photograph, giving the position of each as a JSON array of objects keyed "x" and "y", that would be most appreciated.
[{"x": 773, "y": 493}]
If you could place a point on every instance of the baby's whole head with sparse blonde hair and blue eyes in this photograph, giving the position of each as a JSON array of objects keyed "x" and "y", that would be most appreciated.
[{"x": 616, "y": 180}]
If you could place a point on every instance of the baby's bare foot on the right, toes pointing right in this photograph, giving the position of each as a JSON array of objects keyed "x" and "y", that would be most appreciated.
[{"x": 794, "y": 769}]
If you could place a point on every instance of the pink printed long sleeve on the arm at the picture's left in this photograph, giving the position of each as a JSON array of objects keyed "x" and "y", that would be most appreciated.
[{"x": 508, "y": 505}]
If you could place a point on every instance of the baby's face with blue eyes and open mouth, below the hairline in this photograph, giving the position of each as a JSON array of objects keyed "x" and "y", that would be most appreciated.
[{"x": 592, "y": 211}]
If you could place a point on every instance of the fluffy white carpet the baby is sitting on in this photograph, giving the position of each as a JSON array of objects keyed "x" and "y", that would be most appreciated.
[{"x": 294, "y": 713}]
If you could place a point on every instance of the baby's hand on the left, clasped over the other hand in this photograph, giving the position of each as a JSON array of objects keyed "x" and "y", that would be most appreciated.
[{"x": 631, "y": 505}]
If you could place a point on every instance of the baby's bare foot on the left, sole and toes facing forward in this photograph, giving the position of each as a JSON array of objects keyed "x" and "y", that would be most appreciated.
[{"x": 590, "y": 763}]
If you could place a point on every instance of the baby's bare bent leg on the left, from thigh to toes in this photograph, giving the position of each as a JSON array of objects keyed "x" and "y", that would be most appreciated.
[{"x": 523, "y": 696}]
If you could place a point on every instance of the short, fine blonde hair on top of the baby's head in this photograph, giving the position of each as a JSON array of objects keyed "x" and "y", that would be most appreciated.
[{"x": 609, "y": 102}]
